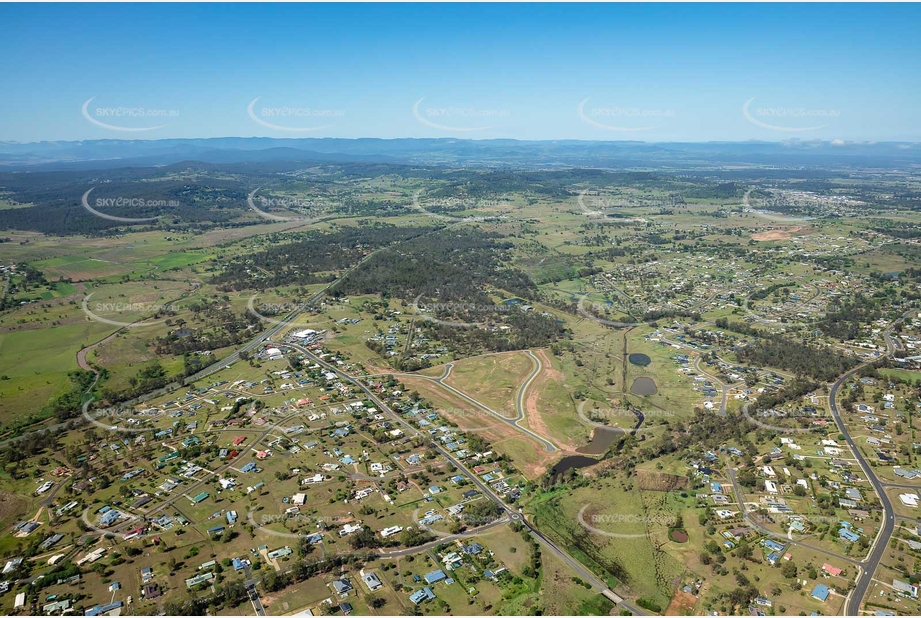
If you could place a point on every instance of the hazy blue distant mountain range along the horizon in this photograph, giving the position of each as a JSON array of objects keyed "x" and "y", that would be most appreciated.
[{"x": 98, "y": 154}]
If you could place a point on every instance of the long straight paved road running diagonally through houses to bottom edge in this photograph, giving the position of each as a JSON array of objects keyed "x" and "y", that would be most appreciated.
[{"x": 512, "y": 514}]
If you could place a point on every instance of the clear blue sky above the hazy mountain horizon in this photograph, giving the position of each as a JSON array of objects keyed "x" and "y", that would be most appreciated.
[{"x": 640, "y": 72}]
